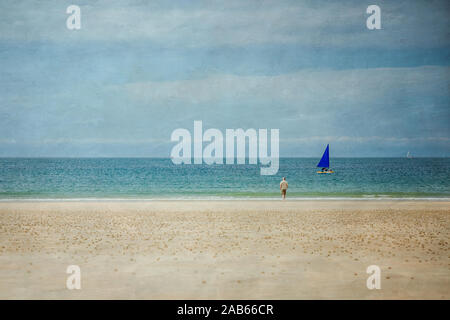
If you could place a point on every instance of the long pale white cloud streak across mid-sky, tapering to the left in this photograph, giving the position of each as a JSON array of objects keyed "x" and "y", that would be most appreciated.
[{"x": 306, "y": 88}]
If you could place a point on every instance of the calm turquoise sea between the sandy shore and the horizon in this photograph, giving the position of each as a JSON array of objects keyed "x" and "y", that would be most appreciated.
[{"x": 152, "y": 178}]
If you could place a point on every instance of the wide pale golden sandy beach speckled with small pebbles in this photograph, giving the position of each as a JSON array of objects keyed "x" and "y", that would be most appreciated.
[{"x": 225, "y": 249}]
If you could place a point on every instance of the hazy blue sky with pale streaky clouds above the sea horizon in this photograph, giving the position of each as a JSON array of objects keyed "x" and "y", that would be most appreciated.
[{"x": 137, "y": 70}]
